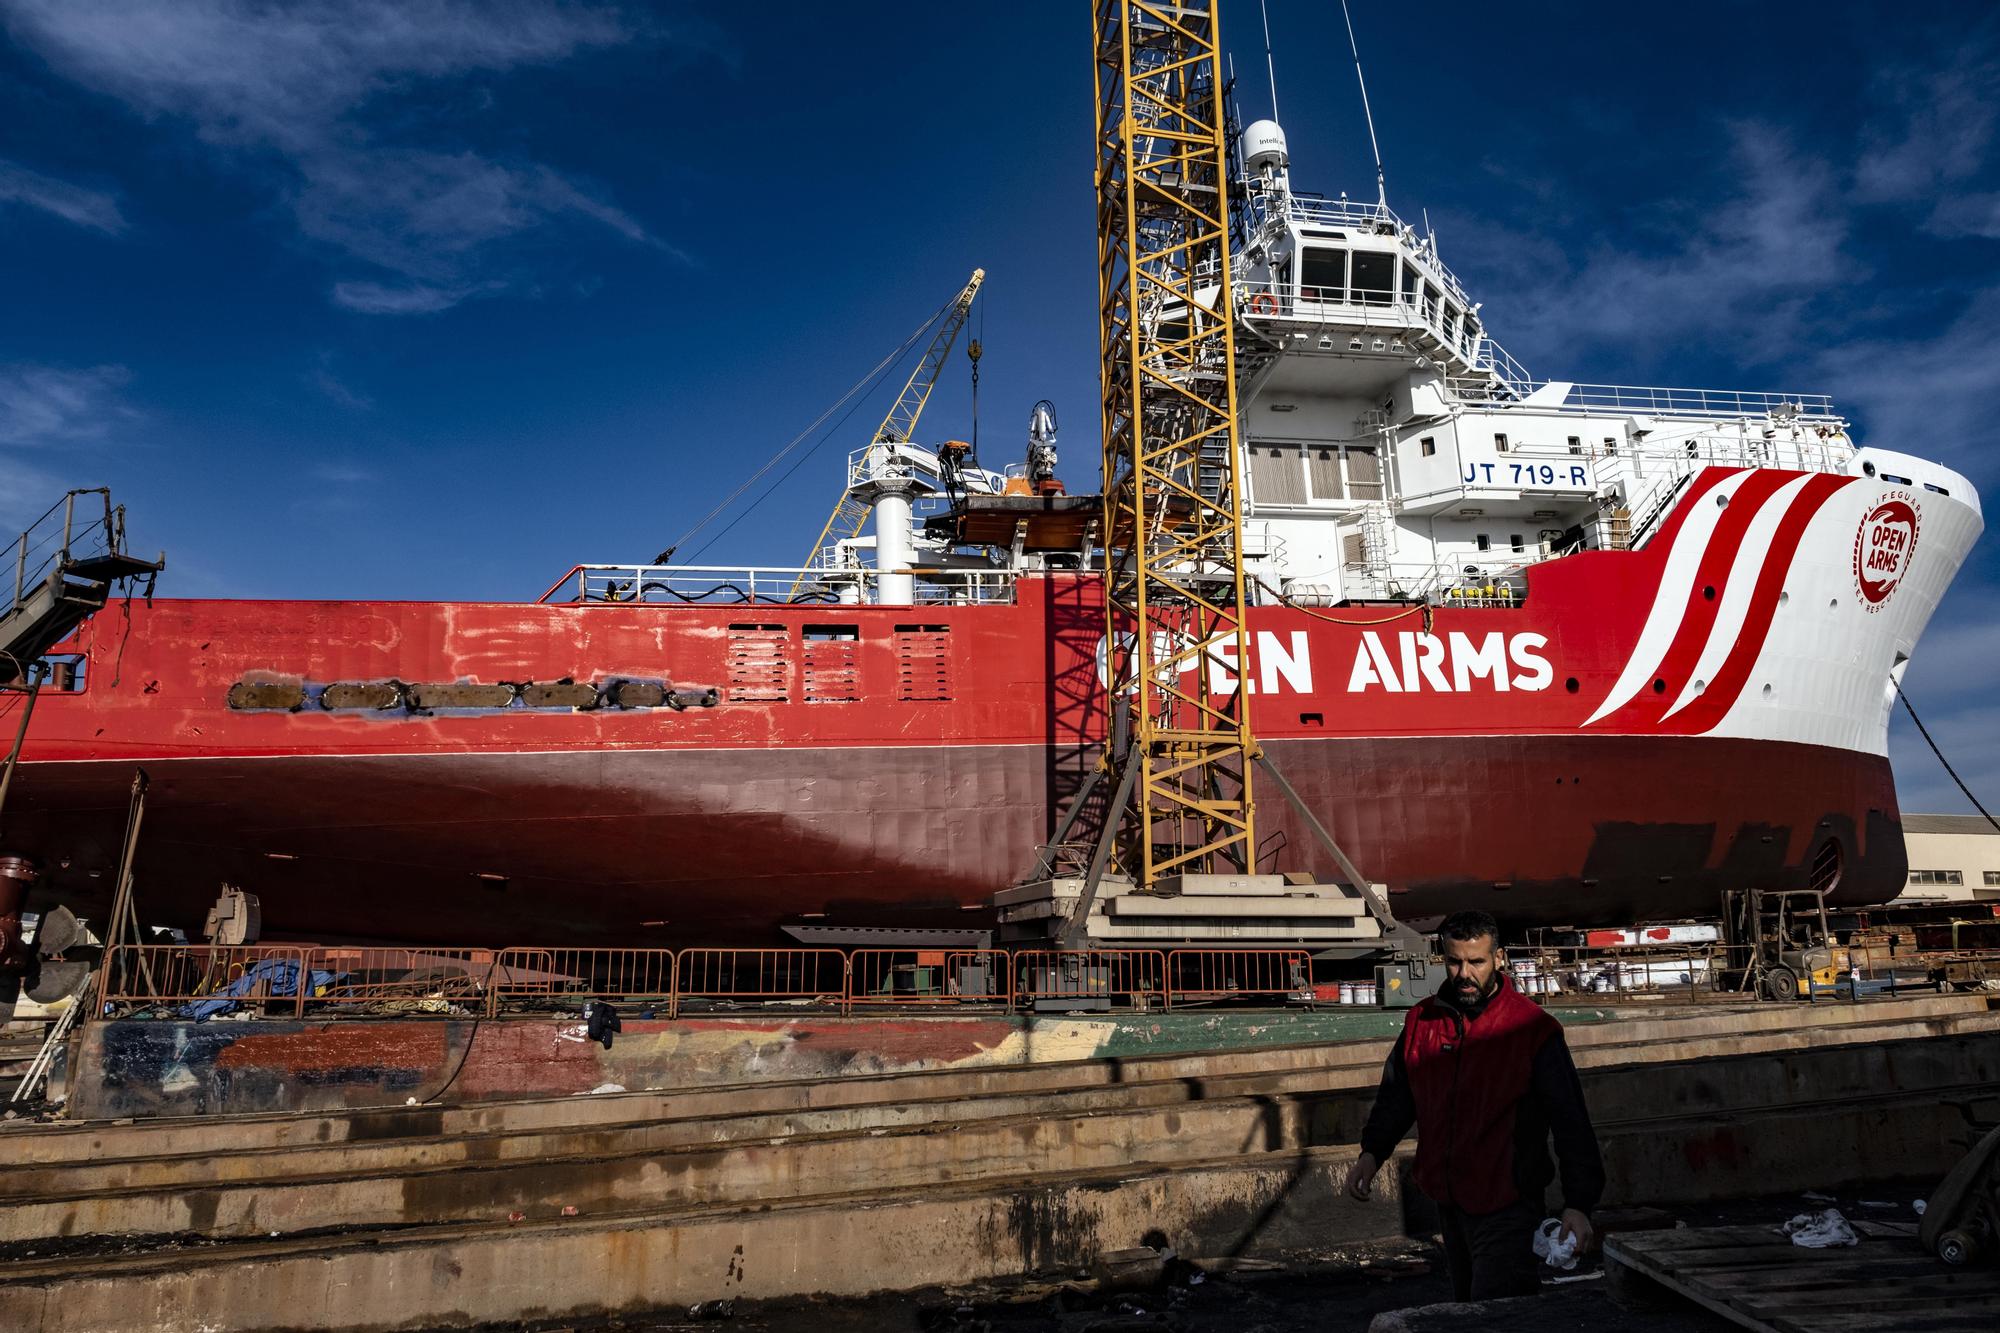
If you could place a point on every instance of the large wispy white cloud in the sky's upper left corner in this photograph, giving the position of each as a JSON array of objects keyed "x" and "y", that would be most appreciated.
[{"x": 297, "y": 83}]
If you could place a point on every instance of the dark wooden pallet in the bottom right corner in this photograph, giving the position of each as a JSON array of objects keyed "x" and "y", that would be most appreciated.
[{"x": 1759, "y": 1280}]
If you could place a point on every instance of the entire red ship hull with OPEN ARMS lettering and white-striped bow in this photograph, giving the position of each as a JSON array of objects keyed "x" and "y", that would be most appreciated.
[{"x": 365, "y": 772}]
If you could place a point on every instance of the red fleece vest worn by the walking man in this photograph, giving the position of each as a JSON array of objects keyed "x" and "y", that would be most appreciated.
[{"x": 1467, "y": 1096}]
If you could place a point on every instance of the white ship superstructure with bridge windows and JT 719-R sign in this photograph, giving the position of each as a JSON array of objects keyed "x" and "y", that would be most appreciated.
[{"x": 1397, "y": 451}]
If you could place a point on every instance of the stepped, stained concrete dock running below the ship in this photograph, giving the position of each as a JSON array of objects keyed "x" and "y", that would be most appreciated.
[{"x": 939, "y": 1164}]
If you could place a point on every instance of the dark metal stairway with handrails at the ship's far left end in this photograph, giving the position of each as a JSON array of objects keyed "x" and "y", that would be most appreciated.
[{"x": 65, "y": 569}]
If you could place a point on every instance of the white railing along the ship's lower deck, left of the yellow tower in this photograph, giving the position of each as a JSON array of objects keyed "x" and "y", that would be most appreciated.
[{"x": 771, "y": 585}]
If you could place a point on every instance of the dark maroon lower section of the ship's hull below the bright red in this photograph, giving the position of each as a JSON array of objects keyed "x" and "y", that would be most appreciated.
[{"x": 661, "y": 848}]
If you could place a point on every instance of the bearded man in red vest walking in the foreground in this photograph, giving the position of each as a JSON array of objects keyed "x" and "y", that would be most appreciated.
[{"x": 1487, "y": 1080}]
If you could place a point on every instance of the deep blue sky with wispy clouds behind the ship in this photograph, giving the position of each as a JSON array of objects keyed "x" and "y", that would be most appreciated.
[{"x": 439, "y": 297}]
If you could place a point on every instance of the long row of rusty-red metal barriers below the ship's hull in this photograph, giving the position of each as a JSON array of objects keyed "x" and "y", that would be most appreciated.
[{"x": 299, "y": 980}]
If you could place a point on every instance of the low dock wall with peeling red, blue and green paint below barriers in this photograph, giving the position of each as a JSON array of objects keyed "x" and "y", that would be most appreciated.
[{"x": 245, "y": 1068}]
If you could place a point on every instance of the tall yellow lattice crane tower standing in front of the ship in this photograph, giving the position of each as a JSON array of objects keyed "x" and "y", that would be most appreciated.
[{"x": 1173, "y": 515}]
